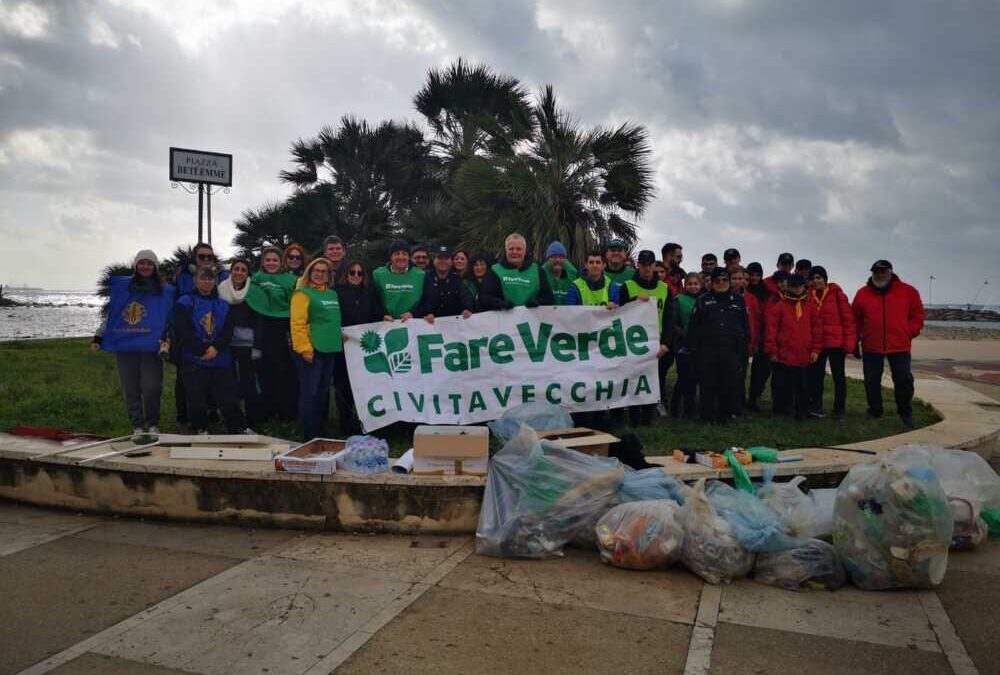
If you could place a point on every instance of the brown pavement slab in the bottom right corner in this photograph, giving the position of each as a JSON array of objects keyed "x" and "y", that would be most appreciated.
[{"x": 971, "y": 601}]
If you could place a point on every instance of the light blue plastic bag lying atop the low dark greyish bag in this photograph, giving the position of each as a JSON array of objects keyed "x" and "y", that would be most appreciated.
[{"x": 755, "y": 525}]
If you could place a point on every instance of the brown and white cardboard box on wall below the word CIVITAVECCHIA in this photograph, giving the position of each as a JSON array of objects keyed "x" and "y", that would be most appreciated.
[{"x": 451, "y": 450}]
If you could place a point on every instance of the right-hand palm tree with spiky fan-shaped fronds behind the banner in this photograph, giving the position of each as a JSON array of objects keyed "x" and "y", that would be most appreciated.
[{"x": 581, "y": 186}]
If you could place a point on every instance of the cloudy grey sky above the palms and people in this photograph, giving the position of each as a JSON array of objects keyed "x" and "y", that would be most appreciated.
[{"x": 842, "y": 131}]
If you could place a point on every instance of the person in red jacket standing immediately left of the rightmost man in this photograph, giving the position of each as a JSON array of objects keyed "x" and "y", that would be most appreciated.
[{"x": 839, "y": 339}]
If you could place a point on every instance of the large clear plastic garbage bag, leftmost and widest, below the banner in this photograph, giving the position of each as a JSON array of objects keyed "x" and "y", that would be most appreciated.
[{"x": 540, "y": 496}]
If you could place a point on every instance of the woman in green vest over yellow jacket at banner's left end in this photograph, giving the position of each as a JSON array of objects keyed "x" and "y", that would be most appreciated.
[{"x": 316, "y": 338}]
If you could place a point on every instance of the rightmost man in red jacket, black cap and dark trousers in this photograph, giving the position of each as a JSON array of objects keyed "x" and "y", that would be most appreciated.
[{"x": 888, "y": 314}]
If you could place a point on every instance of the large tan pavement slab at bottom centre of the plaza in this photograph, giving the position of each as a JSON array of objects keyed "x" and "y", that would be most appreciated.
[{"x": 453, "y": 631}]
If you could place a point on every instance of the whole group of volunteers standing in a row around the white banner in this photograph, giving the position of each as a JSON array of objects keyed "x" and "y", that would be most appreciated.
[{"x": 256, "y": 342}]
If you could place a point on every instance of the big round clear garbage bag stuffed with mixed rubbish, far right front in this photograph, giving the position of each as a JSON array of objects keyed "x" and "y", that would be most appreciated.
[{"x": 892, "y": 524}]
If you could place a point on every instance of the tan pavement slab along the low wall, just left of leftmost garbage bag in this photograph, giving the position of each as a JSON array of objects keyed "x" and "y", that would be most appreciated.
[{"x": 393, "y": 556}]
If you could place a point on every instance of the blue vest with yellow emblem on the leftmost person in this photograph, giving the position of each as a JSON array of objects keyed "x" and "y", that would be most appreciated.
[{"x": 136, "y": 319}]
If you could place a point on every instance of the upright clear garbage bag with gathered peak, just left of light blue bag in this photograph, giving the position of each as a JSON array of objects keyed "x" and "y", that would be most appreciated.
[{"x": 710, "y": 548}]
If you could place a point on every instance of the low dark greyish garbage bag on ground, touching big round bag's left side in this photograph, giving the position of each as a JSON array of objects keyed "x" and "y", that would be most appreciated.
[{"x": 812, "y": 565}]
